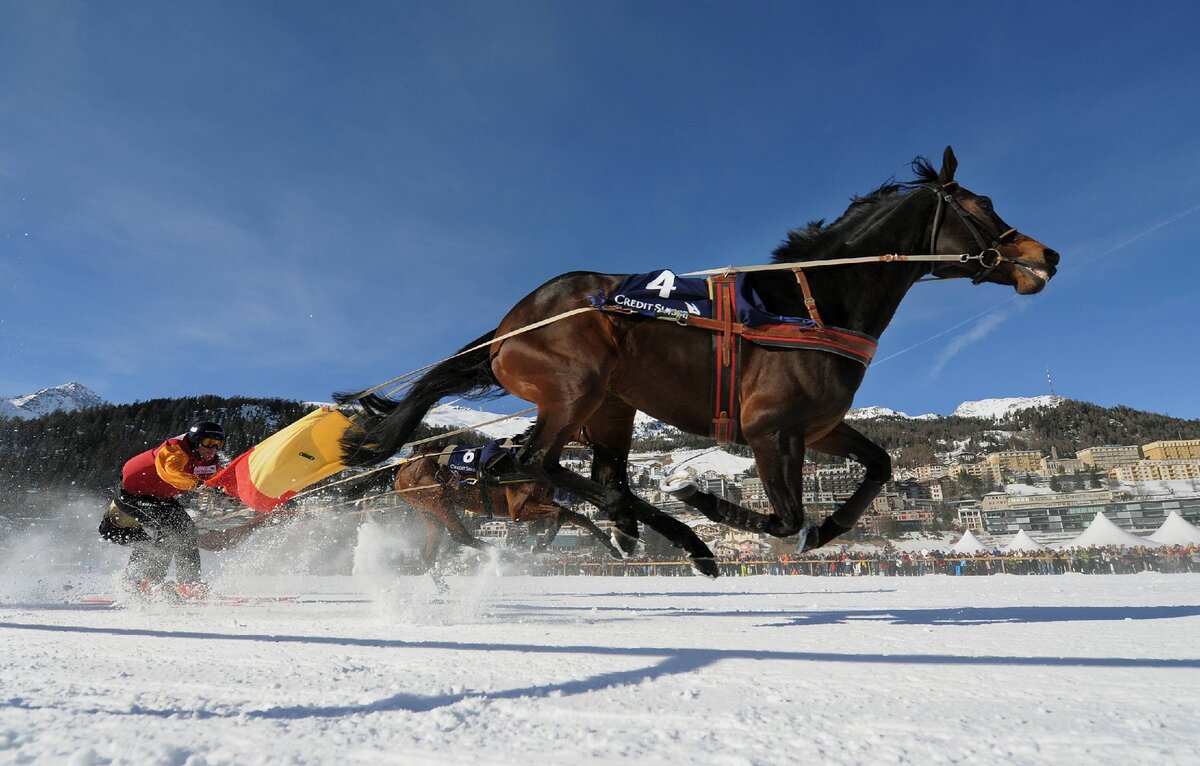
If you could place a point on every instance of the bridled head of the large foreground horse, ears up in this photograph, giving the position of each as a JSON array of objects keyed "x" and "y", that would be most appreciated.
[{"x": 965, "y": 223}]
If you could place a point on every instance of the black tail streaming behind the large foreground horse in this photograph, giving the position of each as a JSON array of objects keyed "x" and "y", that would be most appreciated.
[{"x": 386, "y": 426}]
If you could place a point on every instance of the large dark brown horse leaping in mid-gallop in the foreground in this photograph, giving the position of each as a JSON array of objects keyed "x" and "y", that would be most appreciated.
[{"x": 593, "y": 370}]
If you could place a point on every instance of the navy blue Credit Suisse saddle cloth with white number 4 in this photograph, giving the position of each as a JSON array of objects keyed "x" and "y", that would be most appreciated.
[{"x": 665, "y": 296}]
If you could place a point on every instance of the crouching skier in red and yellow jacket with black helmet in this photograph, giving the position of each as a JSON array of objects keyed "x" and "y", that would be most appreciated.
[{"x": 148, "y": 517}]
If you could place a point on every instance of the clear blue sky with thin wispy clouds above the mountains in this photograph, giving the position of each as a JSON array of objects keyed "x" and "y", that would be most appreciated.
[{"x": 293, "y": 199}]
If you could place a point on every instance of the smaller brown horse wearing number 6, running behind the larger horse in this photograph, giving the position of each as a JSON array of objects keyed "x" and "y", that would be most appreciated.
[{"x": 437, "y": 493}]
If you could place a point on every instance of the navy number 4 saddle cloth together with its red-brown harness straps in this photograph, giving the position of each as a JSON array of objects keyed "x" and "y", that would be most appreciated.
[{"x": 733, "y": 310}]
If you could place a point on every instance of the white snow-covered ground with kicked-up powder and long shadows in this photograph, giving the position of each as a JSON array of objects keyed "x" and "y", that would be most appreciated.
[{"x": 368, "y": 667}]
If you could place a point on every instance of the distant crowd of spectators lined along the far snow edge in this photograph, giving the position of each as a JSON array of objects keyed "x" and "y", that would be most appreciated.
[{"x": 884, "y": 562}]
